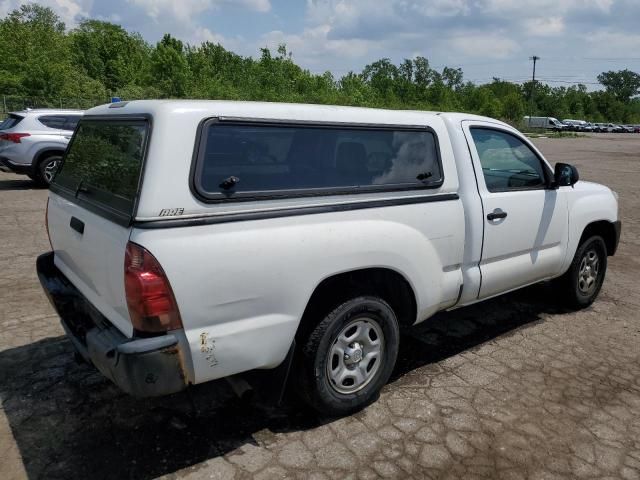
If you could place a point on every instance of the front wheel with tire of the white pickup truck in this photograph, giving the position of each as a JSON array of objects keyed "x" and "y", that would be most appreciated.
[{"x": 581, "y": 284}]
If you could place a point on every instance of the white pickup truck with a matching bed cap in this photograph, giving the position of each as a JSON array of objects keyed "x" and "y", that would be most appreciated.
[{"x": 194, "y": 240}]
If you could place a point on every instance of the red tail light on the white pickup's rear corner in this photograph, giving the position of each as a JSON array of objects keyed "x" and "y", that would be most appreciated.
[{"x": 152, "y": 306}]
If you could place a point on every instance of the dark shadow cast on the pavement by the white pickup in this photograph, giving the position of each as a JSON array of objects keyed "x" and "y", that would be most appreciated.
[{"x": 68, "y": 421}]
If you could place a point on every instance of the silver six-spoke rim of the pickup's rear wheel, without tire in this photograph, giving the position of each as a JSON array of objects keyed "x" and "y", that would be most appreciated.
[{"x": 355, "y": 356}]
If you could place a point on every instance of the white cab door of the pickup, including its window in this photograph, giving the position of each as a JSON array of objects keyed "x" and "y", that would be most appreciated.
[{"x": 525, "y": 221}]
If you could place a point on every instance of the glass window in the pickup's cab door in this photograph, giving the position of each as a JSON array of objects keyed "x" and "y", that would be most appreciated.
[{"x": 507, "y": 162}]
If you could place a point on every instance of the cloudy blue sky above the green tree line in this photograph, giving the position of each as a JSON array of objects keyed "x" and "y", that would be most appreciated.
[{"x": 575, "y": 39}]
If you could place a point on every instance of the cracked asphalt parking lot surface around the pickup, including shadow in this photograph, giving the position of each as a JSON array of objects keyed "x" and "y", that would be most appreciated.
[{"x": 512, "y": 388}]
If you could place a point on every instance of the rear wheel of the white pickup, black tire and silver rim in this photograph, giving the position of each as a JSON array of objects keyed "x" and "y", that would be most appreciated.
[{"x": 349, "y": 356}]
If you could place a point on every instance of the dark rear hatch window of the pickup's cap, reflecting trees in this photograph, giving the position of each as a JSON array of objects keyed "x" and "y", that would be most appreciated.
[{"x": 102, "y": 166}]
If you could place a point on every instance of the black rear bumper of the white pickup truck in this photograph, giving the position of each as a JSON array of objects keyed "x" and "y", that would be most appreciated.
[{"x": 143, "y": 367}]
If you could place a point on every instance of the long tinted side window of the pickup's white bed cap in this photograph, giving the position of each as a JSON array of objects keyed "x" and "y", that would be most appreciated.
[{"x": 239, "y": 160}]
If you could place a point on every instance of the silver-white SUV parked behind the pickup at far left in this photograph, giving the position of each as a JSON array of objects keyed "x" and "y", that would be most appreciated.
[{"x": 32, "y": 141}]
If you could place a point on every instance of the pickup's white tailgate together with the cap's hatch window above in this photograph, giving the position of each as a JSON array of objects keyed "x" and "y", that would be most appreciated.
[{"x": 91, "y": 205}]
